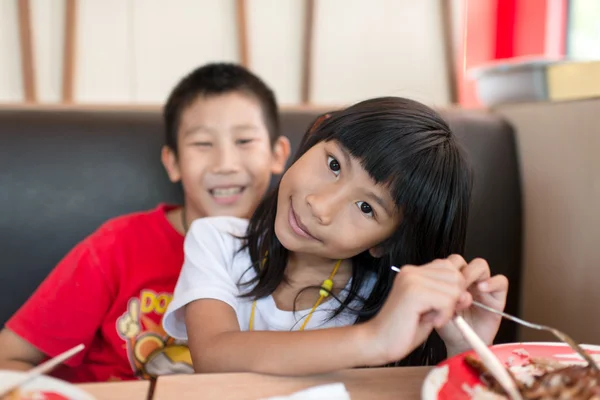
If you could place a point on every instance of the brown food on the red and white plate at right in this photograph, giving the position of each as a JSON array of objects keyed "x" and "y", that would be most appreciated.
[{"x": 539, "y": 379}]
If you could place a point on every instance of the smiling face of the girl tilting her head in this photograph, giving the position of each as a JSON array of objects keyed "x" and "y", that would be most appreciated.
[{"x": 329, "y": 206}]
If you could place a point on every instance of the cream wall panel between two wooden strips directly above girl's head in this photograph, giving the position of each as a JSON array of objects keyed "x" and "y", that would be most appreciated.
[{"x": 382, "y": 47}]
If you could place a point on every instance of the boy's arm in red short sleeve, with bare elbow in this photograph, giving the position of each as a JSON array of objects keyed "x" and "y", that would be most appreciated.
[{"x": 65, "y": 310}]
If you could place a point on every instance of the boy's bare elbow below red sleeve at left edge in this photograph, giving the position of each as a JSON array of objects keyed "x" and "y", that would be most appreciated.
[{"x": 17, "y": 353}]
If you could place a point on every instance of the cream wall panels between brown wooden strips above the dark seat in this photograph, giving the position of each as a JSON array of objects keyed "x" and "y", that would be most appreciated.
[{"x": 134, "y": 51}]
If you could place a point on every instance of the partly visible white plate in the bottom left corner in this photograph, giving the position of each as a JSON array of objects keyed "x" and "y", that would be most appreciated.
[{"x": 46, "y": 388}]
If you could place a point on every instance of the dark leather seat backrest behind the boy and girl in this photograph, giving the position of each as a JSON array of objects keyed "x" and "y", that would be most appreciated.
[{"x": 64, "y": 172}]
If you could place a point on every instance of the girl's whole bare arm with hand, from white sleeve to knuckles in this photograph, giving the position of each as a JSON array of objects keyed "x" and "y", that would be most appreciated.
[{"x": 422, "y": 298}]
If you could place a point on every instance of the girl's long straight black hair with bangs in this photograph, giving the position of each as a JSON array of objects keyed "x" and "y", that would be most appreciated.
[{"x": 411, "y": 149}]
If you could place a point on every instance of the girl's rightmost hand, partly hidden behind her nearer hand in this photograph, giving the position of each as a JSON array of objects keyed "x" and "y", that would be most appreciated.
[{"x": 490, "y": 291}]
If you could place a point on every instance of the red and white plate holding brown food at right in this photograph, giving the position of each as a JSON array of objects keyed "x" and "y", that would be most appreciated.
[{"x": 449, "y": 379}]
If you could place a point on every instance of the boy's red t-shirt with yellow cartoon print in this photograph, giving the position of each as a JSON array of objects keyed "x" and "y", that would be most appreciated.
[{"x": 110, "y": 293}]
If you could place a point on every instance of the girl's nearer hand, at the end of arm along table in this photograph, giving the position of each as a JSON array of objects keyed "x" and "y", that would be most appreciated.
[{"x": 421, "y": 299}]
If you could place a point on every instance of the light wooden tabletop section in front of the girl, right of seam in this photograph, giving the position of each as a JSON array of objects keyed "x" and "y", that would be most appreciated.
[{"x": 370, "y": 383}]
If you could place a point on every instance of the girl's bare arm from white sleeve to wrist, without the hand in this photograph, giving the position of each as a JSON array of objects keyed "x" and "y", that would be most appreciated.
[{"x": 217, "y": 345}]
